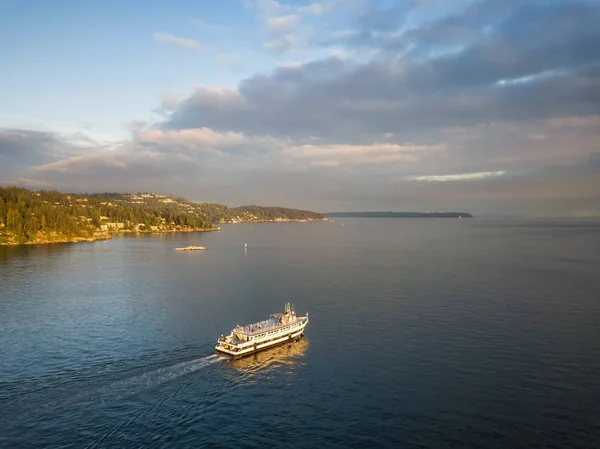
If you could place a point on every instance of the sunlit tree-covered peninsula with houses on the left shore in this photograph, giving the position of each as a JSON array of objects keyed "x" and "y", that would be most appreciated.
[{"x": 49, "y": 216}]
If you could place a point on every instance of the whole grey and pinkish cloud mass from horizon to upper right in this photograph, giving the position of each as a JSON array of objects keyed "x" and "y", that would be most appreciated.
[{"x": 482, "y": 105}]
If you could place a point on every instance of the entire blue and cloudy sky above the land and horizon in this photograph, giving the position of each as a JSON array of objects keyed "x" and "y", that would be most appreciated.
[{"x": 485, "y": 106}]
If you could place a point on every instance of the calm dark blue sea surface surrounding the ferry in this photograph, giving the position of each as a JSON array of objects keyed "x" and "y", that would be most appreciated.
[{"x": 423, "y": 333}]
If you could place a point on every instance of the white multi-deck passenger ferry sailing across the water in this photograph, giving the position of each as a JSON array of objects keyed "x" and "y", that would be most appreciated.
[{"x": 280, "y": 328}]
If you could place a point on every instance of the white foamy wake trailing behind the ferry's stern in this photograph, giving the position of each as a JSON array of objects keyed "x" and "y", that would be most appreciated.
[{"x": 152, "y": 379}]
